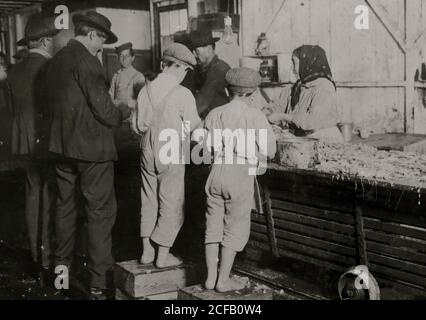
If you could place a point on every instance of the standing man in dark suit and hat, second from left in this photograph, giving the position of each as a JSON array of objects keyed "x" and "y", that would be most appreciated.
[{"x": 83, "y": 116}]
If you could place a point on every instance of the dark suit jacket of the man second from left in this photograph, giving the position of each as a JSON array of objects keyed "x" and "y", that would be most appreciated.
[{"x": 83, "y": 113}]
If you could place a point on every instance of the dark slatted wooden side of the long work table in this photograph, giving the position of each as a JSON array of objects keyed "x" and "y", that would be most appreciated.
[{"x": 336, "y": 223}]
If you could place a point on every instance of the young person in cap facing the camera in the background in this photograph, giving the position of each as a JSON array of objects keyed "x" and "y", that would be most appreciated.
[{"x": 127, "y": 82}]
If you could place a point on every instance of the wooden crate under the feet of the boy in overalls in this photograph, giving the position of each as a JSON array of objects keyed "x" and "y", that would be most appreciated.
[{"x": 140, "y": 281}]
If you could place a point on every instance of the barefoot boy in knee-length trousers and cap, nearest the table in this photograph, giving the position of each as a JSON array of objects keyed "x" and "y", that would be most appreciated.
[{"x": 230, "y": 187}]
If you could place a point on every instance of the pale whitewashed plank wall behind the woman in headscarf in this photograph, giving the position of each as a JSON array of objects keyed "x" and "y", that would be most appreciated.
[{"x": 375, "y": 73}]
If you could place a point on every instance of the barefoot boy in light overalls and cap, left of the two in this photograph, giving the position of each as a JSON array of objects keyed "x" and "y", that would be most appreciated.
[{"x": 162, "y": 191}]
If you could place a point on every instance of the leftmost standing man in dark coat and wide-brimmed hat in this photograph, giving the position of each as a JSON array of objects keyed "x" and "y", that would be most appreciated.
[{"x": 29, "y": 102}]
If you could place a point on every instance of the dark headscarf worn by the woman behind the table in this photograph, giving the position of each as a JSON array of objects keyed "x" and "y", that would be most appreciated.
[{"x": 313, "y": 65}]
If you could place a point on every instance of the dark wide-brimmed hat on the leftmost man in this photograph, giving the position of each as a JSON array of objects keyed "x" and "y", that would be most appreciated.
[{"x": 37, "y": 28}]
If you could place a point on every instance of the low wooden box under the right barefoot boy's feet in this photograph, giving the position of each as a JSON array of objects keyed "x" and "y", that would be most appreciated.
[{"x": 253, "y": 291}]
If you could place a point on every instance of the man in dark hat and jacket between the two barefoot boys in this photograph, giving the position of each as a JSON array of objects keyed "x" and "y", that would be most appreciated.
[{"x": 210, "y": 76}]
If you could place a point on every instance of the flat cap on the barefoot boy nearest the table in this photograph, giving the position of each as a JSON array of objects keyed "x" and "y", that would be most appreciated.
[{"x": 243, "y": 80}]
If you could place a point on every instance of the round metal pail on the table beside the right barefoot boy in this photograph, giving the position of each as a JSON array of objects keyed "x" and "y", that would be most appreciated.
[{"x": 299, "y": 153}]
